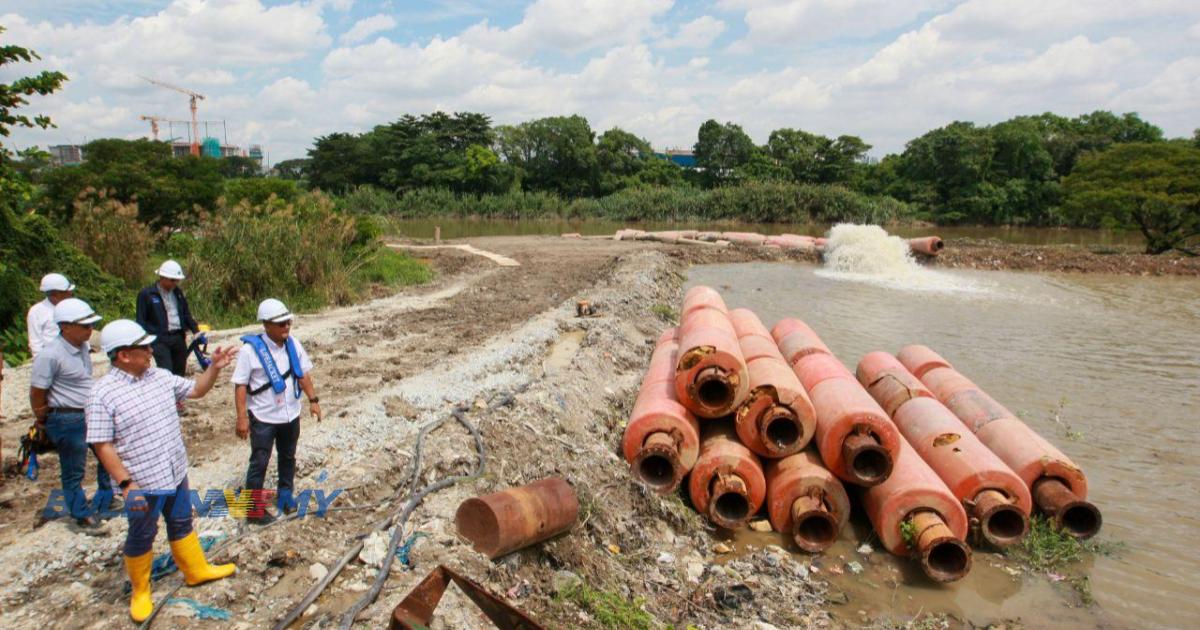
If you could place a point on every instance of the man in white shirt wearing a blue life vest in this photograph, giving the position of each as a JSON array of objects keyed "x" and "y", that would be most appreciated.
[{"x": 272, "y": 371}]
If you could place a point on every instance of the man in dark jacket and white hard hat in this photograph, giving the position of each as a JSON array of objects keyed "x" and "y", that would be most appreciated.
[{"x": 164, "y": 313}]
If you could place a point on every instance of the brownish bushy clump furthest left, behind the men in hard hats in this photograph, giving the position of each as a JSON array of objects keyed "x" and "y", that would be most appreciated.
[{"x": 109, "y": 232}]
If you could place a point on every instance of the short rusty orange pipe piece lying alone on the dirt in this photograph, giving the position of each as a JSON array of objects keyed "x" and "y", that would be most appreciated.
[{"x": 512, "y": 520}]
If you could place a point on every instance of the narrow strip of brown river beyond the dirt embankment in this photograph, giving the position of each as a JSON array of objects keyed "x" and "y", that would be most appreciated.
[{"x": 463, "y": 229}]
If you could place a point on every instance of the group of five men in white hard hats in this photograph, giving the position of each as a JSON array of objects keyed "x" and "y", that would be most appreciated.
[{"x": 130, "y": 418}]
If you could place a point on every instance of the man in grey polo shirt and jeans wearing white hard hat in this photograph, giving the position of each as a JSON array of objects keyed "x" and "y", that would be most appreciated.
[{"x": 59, "y": 386}]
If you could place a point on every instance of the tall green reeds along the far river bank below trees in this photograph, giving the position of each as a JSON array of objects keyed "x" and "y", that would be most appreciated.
[{"x": 754, "y": 202}]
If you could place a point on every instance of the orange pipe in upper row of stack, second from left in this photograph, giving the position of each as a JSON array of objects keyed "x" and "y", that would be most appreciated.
[{"x": 778, "y": 418}]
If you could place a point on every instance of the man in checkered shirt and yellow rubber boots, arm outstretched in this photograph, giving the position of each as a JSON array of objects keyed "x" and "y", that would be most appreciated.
[{"x": 134, "y": 427}]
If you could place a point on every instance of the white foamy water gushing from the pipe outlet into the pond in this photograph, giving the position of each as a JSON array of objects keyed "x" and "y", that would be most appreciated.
[{"x": 868, "y": 254}]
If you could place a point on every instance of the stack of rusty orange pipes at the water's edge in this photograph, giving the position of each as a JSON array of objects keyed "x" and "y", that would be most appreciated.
[{"x": 771, "y": 422}]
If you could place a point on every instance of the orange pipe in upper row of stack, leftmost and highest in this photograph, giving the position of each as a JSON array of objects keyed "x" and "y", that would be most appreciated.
[{"x": 711, "y": 375}]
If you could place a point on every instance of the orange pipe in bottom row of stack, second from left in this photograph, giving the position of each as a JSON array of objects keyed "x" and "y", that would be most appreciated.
[{"x": 728, "y": 484}]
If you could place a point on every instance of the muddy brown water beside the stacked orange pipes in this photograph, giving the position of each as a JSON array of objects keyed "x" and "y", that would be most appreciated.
[{"x": 1107, "y": 368}]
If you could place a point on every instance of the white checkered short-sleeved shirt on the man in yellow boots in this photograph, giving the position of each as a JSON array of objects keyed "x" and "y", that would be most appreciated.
[{"x": 139, "y": 416}]
